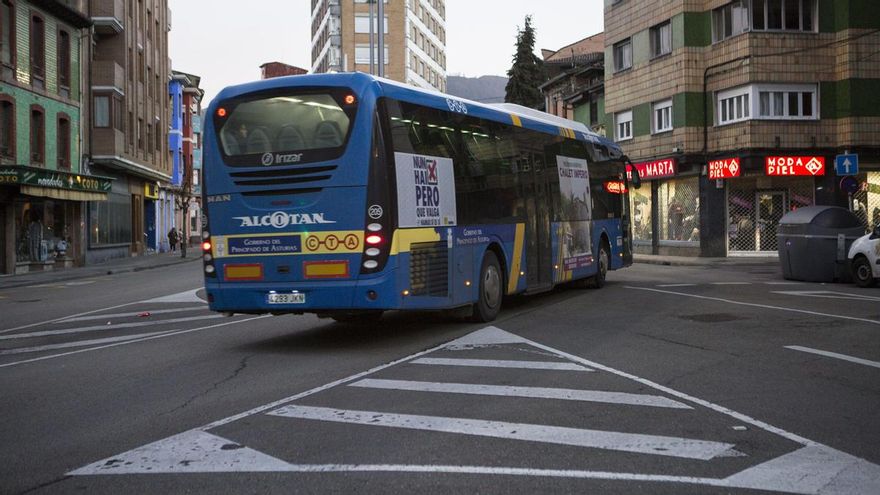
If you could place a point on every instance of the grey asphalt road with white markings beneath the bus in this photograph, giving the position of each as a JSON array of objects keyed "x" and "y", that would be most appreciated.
[{"x": 668, "y": 380}]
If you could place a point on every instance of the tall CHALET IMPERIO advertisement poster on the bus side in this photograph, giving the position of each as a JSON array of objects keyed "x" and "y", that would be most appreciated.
[{"x": 574, "y": 188}]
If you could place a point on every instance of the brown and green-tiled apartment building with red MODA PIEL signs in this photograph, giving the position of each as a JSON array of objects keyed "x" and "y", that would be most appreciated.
[{"x": 735, "y": 111}]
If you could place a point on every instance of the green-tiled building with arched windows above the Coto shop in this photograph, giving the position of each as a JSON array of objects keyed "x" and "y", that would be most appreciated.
[{"x": 45, "y": 186}]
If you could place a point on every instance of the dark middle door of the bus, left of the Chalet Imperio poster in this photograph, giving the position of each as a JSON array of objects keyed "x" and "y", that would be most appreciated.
[{"x": 539, "y": 249}]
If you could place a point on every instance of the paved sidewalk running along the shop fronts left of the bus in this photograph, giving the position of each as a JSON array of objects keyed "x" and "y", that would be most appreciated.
[{"x": 120, "y": 265}]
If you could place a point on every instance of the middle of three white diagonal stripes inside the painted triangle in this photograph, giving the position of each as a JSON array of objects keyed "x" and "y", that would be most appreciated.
[{"x": 531, "y": 392}]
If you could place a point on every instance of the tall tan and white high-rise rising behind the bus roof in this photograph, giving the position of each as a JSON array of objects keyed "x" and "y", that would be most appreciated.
[{"x": 414, "y": 35}]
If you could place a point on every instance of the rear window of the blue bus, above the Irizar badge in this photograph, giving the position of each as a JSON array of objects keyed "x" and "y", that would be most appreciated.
[{"x": 315, "y": 125}]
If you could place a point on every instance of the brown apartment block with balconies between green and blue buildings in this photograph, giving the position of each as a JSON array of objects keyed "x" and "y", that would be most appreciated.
[{"x": 130, "y": 113}]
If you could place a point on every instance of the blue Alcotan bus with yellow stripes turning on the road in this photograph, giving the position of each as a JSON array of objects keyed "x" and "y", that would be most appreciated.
[{"x": 347, "y": 195}]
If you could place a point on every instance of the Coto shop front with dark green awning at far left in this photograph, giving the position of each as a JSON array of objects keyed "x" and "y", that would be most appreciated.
[{"x": 42, "y": 217}]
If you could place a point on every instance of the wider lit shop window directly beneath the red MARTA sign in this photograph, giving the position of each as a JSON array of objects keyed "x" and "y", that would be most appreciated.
[{"x": 679, "y": 209}]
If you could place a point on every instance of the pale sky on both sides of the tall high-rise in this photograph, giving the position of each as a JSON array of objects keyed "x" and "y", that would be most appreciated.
[{"x": 225, "y": 43}]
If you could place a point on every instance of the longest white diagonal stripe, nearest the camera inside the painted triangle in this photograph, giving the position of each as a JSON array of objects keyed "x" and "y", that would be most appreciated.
[{"x": 558, "y": 435}]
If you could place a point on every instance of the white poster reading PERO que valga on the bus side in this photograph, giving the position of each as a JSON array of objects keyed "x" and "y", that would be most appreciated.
[{"x": 425, "y": 190}]
